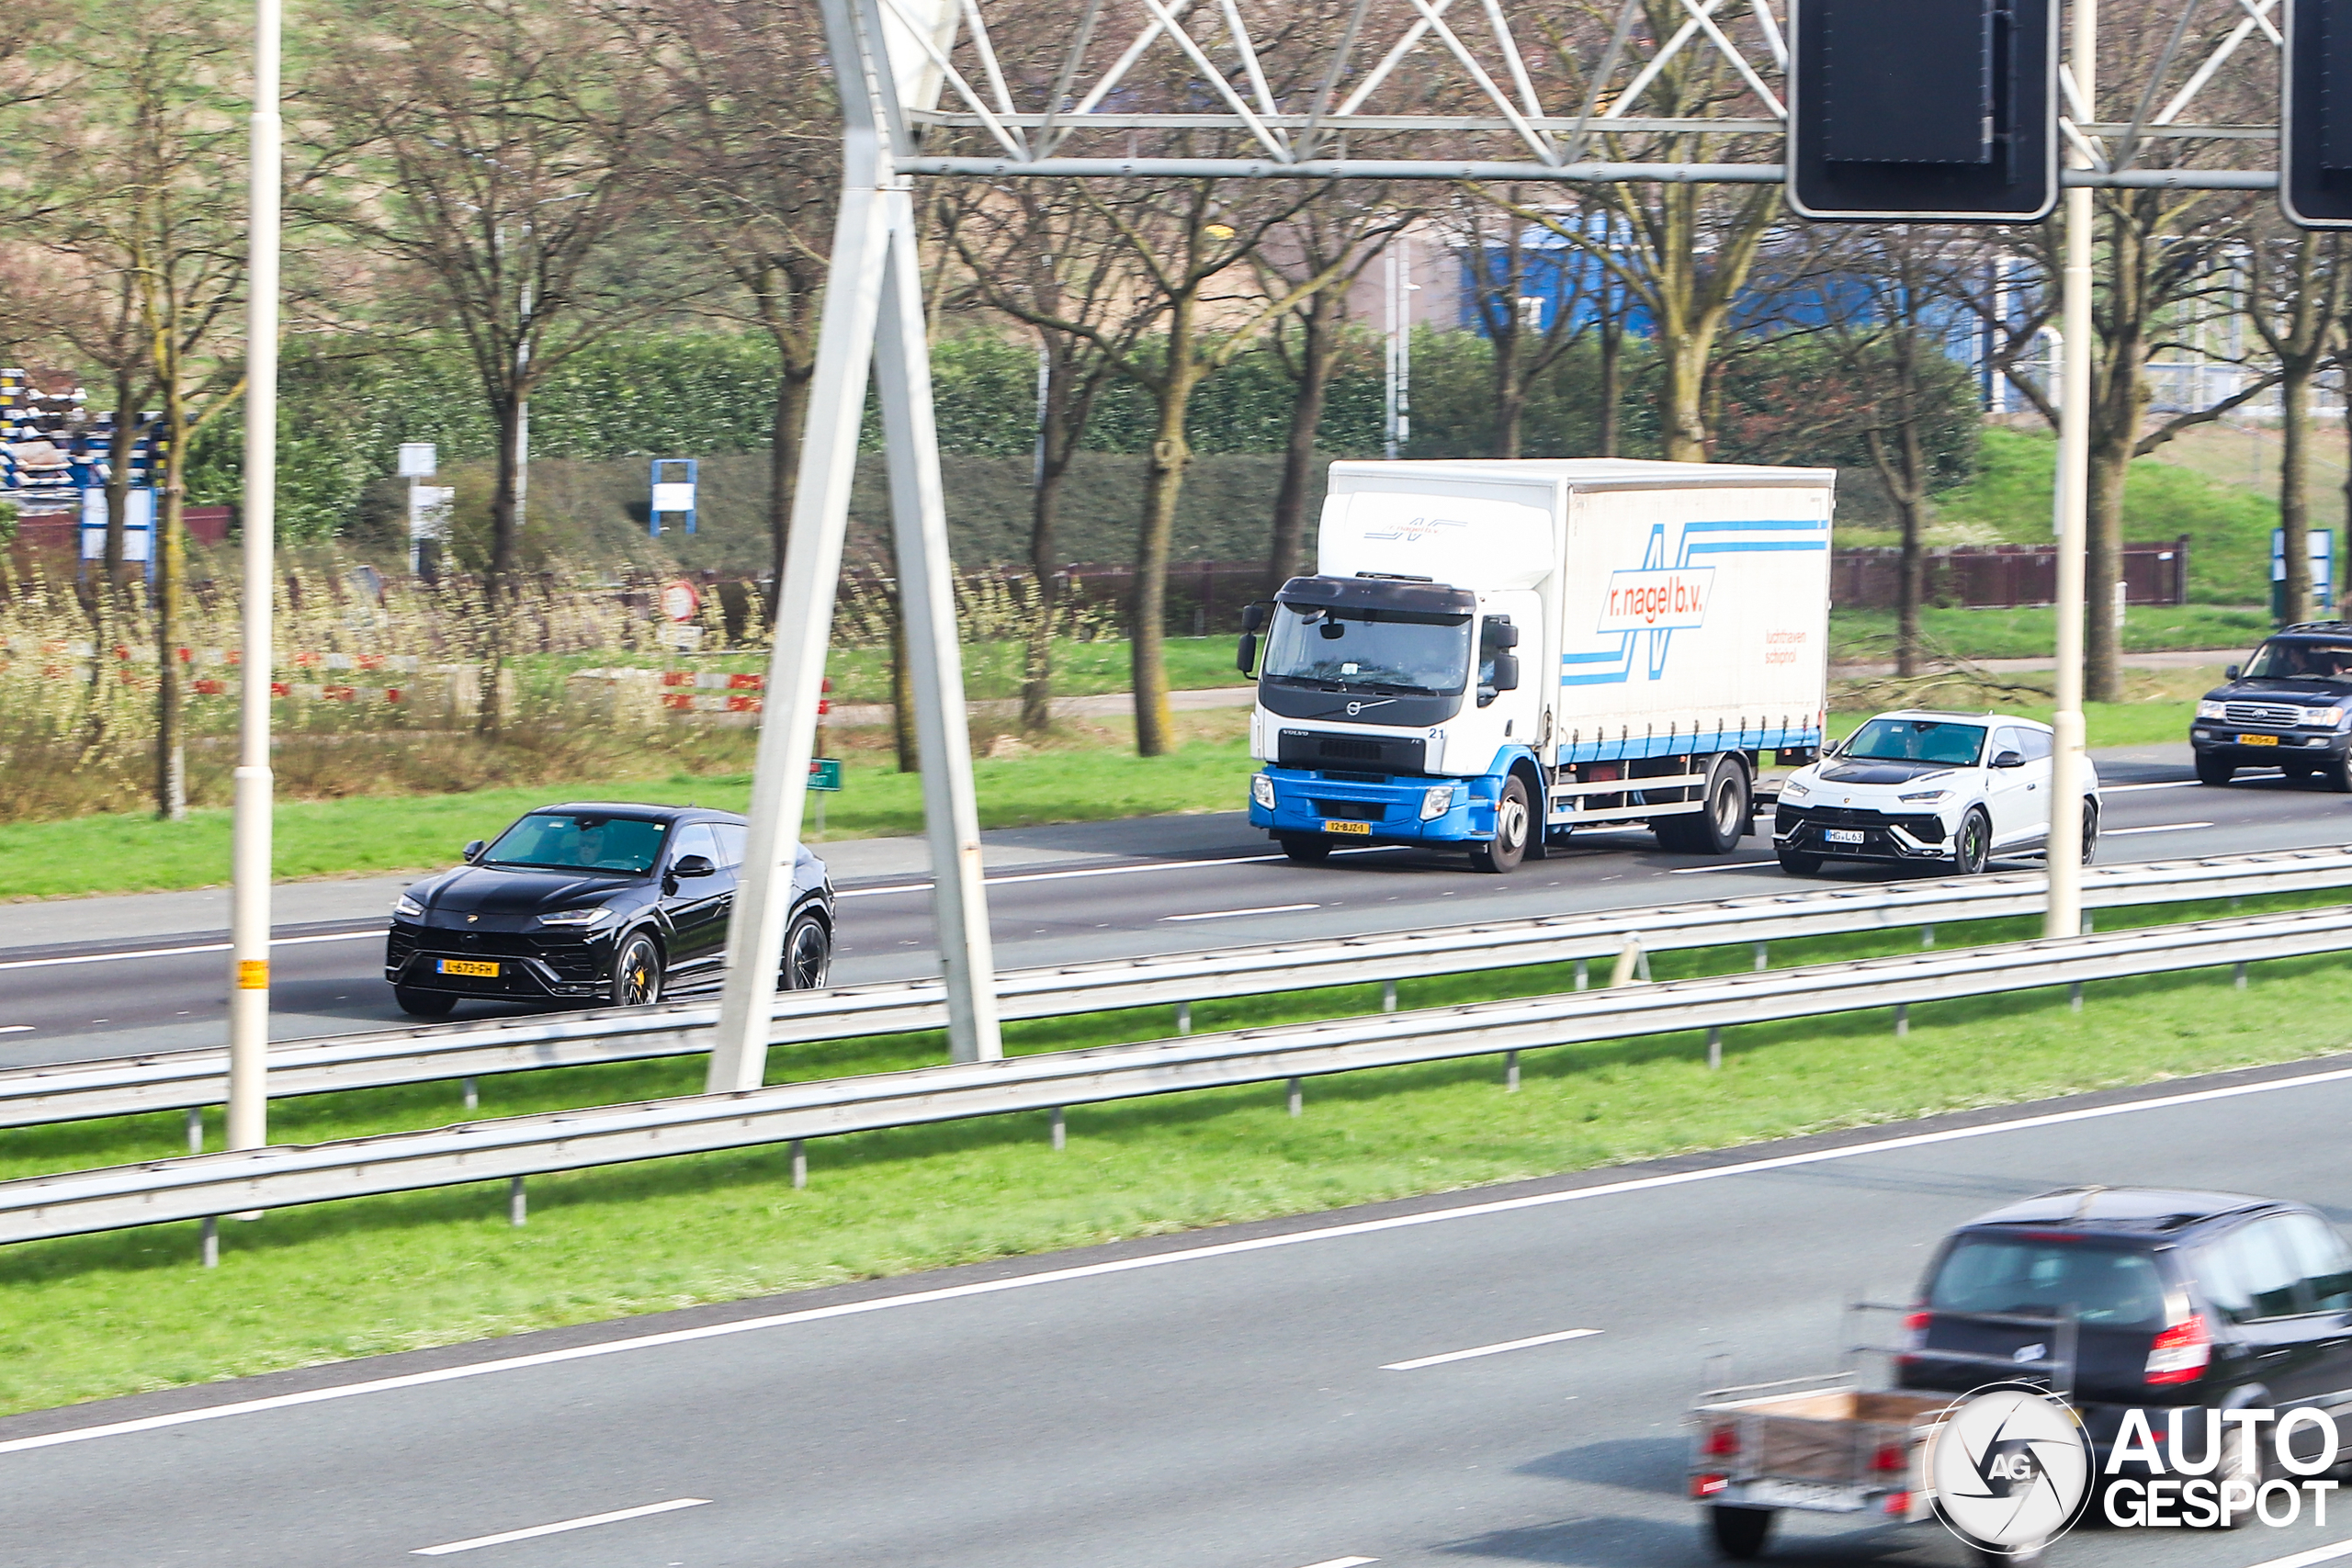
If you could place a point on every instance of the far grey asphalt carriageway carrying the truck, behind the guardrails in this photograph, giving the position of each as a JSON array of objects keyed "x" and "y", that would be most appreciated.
[{"x": 1168, "y": 885}]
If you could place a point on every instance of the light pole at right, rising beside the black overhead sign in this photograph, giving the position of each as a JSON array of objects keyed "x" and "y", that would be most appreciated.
[{"x": 2073, "y": 504}]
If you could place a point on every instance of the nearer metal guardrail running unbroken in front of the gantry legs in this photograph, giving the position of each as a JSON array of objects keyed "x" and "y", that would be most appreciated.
[{"x": 201, "y": 1186}]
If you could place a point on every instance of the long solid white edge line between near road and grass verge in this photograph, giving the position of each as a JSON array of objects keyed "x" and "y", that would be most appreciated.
[{"x": 1158, "y": 1261}]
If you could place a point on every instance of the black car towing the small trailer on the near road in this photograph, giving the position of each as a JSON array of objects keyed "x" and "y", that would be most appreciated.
[{"x": 2177, "y": 1299}]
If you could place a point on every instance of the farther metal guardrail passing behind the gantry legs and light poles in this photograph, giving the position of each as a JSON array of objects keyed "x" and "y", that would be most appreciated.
[{"x": 420, "y": 1054}]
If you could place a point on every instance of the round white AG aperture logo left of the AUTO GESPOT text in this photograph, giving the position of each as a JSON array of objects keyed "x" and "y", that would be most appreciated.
[{"x": 2012, "y": 1470}]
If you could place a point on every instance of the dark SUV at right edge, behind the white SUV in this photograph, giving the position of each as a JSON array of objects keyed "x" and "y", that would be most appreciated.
[{"x": 2290, "y": 709}]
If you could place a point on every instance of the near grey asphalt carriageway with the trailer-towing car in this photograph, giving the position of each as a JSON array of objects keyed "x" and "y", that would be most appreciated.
[{"x": 1269, "y": 1398}]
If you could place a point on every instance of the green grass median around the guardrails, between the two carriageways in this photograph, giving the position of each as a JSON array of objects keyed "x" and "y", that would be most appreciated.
[{"x": 105, "y": 1315}]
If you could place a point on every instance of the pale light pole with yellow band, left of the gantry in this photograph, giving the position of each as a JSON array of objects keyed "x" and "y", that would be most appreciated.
[{"x": 250, "y": 866}]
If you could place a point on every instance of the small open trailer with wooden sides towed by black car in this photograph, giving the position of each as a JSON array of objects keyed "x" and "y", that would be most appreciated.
[{"x": 1817, "y": 1445}]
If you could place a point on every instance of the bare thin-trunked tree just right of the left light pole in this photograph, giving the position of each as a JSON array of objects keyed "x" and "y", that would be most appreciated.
[{"x": 495, "y": 149}]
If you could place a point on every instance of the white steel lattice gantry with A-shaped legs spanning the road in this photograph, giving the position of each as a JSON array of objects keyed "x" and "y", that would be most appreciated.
[{"x": 1368, "y": 91}]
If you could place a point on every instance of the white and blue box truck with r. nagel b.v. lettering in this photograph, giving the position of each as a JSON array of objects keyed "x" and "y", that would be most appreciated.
[{"x": 1499, "y": 652}]
